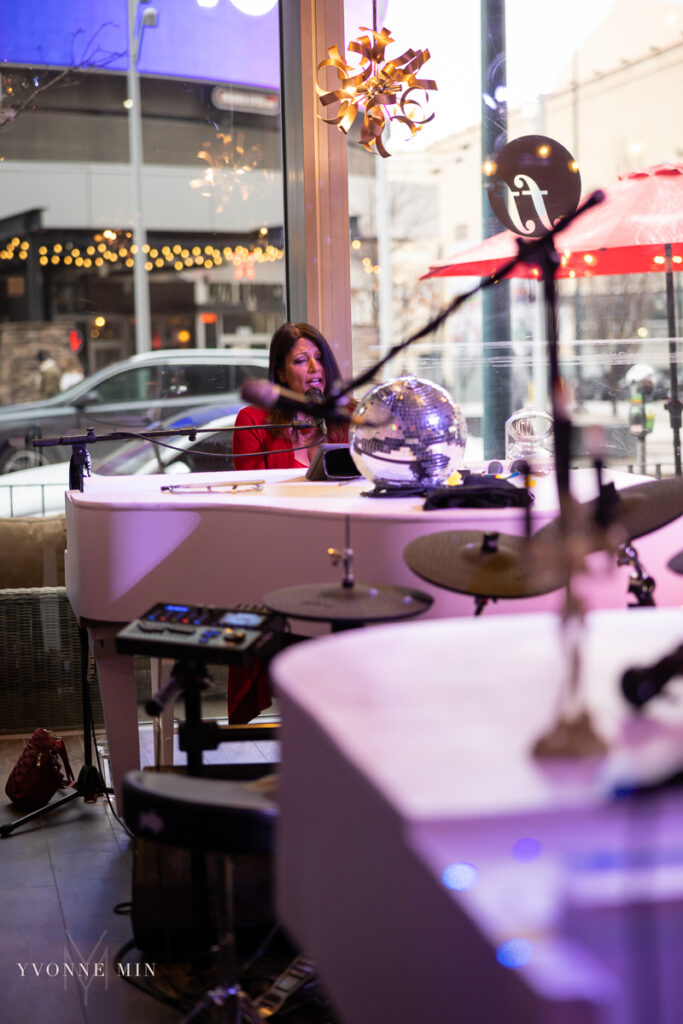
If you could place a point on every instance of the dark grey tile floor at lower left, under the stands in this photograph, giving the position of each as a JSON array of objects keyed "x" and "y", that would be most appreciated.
[{"x": 62, "y": 878}]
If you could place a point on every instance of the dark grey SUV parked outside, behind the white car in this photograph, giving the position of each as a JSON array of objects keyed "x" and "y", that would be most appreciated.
[{"x": 137, "y": 394}]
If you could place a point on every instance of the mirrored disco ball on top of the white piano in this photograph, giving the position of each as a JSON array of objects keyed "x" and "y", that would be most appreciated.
[{"x": 413, "y": 434}]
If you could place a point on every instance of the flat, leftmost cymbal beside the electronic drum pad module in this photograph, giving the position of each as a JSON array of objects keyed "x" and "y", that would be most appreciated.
[{"x": 338, "y": 605}]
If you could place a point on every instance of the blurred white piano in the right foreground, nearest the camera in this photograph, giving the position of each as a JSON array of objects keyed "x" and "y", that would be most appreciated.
[{"x": 436, "y": 870}]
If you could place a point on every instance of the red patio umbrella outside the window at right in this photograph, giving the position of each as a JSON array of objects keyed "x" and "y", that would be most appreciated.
[{"x": 638, "y": 229}]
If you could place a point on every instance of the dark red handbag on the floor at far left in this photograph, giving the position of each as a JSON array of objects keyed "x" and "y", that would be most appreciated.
[{"x": 37, "y": 776}]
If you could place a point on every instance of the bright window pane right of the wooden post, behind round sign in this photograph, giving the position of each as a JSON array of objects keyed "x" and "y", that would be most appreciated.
[{"x": 603, "y": 79}]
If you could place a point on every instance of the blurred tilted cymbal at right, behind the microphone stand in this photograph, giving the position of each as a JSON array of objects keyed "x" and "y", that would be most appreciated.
[{"x": 639, "y": 510}]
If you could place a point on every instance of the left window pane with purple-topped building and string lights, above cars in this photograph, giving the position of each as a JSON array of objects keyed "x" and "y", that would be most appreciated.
[{"x": 142, "y": 172}]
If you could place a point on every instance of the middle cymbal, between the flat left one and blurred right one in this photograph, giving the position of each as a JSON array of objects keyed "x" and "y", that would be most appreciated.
[{"x": 463, "y": 561}]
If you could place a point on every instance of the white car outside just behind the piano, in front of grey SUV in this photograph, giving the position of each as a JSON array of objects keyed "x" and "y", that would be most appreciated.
[{"x": 40, "y": 491}]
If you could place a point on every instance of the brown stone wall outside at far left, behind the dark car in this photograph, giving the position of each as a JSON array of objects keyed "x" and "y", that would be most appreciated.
[{"x": 20, "y": 345}]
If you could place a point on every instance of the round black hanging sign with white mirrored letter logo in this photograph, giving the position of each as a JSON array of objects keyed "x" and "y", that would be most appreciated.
[{"x": 533, "y": 183}]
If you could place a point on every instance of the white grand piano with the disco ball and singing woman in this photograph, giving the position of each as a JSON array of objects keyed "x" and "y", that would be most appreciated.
[{"x": 133, "y": 543}]
